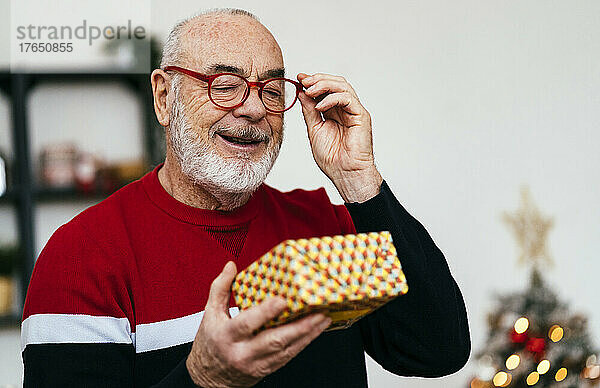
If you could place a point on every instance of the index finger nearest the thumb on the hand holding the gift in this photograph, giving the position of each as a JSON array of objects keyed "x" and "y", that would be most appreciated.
[{"x": 245, "y": 323}]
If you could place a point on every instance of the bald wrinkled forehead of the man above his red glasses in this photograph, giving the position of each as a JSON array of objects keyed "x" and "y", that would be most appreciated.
[{"x": 237, "y": 41}]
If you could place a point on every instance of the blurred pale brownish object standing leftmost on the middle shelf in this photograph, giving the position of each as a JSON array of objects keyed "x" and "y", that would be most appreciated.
[{"x": 58, "y": 165}]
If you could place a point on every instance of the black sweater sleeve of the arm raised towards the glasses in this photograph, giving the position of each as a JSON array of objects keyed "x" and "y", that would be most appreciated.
[{"x": 425, "y": 332}]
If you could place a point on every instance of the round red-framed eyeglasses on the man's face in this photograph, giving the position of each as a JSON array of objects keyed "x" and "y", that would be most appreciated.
[{"x": 229, "y": 90}]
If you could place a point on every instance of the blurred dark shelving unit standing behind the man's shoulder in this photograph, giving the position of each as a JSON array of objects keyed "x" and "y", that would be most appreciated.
[{"x": 22, "y": 193}]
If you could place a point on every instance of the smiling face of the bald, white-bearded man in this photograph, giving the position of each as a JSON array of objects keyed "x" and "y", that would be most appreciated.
[{"x": 202, "y": 134}]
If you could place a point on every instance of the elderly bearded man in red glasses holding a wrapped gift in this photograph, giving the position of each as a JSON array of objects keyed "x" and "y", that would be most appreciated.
[{"x": 136, "y": 290}]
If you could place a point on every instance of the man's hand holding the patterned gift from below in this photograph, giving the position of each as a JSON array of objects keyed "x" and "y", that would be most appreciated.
[{"x": 226, "y": 353}]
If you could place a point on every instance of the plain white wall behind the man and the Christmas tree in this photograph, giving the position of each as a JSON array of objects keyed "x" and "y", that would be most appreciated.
[{"x": 469, "y": 101}]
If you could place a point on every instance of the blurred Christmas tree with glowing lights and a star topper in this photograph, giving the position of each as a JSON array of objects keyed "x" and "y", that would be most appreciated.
[{"x": 533, "y": 338}]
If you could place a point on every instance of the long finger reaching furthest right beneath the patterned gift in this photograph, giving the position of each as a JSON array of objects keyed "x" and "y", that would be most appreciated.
[{"x": 291, "y": 338}]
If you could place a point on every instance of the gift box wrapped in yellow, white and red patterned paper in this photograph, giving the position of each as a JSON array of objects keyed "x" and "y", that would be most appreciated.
[{"x": 345, "y": 277}]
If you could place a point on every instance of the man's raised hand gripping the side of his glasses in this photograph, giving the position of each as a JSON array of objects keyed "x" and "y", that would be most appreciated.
[{"x": 340, "y": 135}]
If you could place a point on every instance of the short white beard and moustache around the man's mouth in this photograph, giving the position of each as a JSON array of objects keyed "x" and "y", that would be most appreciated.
[{"x": 204, "y": 166}]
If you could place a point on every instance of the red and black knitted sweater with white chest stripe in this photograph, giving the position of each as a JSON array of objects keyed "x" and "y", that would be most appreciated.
[{"x": 117, "y": 294}]
